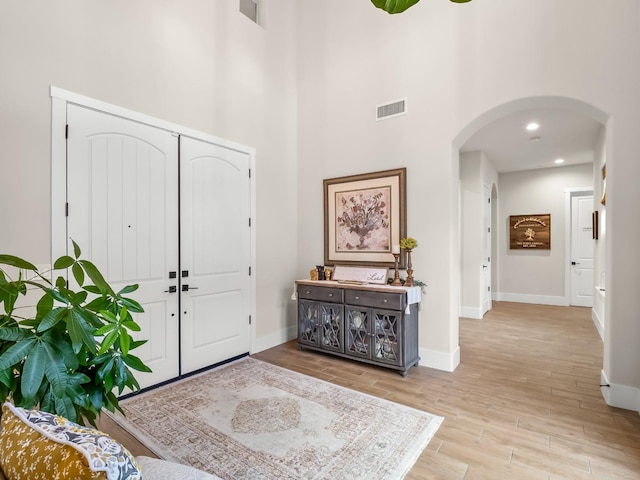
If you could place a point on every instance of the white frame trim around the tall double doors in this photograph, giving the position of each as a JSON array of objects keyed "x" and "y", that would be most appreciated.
[{"x": 59, "y": 238}]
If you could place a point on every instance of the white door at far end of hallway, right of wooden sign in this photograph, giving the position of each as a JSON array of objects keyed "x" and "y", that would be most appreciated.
[{"x": 581, "y": 251}]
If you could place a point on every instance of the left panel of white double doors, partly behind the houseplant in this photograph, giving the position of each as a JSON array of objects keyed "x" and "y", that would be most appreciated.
[{"x": 123, "y": 212}]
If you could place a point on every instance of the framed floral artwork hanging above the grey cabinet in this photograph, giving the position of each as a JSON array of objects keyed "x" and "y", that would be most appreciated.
[{"x": 364, "y": 217}]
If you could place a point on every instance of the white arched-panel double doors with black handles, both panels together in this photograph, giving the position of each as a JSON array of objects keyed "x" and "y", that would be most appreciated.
[{"x": 170, "y": 213}]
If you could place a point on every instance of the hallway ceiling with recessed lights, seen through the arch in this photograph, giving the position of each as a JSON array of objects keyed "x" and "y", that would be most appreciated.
[{"x": 562, "y": 134}]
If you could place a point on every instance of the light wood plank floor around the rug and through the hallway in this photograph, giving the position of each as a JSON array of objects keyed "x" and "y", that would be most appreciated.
[{"x": 525, "y": 402}]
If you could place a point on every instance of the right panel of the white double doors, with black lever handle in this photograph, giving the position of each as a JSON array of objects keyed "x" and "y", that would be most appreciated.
[{"x": 215, "y": 253}]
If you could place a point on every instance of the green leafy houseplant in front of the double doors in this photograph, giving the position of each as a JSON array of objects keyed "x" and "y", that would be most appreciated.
[{"x": 69, "y": 353}]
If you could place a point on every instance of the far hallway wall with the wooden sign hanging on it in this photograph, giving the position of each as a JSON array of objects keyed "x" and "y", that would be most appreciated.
[{"x": 537, "y": 276}]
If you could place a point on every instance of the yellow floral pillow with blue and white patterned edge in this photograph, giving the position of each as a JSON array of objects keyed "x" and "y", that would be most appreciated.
[{"x": 37, "y": 445}]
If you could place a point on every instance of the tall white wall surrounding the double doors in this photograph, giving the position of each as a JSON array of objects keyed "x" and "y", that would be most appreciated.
[{"x": 195, "y": 63}]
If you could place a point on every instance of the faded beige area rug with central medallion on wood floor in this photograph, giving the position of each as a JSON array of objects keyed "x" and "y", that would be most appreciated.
[{"x": 252, "y": 420}]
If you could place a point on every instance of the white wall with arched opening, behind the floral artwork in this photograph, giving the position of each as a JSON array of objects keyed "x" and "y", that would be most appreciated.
[{"x": 454, "y": 63}]
